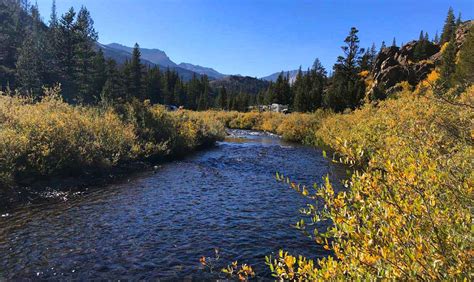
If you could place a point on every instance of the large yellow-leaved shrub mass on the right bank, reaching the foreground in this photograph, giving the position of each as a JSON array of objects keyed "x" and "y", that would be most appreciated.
[{"x": 407, "y": 213}]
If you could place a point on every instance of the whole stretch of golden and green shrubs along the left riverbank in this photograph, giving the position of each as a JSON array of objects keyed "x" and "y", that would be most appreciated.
[{"x": 49, "y": 137}]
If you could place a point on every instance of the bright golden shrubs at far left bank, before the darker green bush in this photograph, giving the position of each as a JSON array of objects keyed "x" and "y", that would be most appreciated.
[{"x": 50, "y": 136}]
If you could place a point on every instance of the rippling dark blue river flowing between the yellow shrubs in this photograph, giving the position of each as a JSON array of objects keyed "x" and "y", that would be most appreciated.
[{"x": 157, "y": 224}]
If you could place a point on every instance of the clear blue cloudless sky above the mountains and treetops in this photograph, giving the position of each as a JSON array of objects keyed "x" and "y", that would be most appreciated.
[{"x": 259, "y": 37}]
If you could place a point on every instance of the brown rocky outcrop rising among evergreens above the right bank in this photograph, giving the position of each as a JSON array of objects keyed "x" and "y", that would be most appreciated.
[{"x": 394, "y": 64}]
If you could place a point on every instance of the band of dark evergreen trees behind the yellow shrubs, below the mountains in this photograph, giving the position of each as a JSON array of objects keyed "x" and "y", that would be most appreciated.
[{"x": 65, "y": 50}]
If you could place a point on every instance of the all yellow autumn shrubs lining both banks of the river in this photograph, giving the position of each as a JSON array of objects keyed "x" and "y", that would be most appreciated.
[{"x": 412, "y": 157}]
